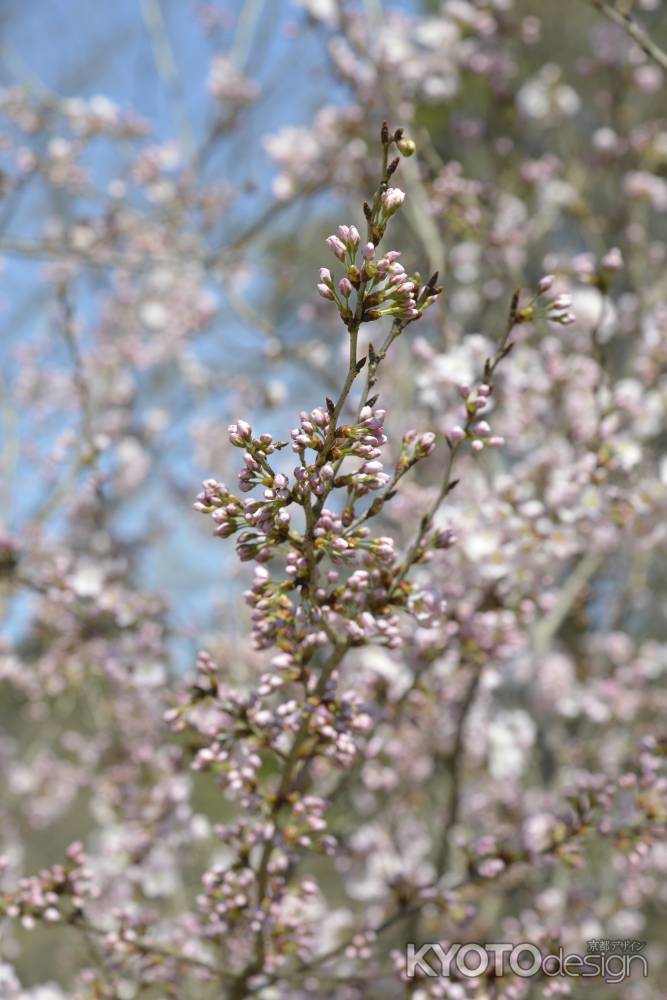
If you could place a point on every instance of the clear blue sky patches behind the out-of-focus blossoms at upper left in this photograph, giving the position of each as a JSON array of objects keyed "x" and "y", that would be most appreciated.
[{"x": 87, "y": 48}]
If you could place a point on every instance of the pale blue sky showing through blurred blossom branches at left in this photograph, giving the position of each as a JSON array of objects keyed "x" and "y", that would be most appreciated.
[{"x": 69, "y": 48}]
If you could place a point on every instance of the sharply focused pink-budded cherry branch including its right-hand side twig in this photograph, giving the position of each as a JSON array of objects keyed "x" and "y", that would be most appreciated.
[{"x": 332, "y": 584}]
